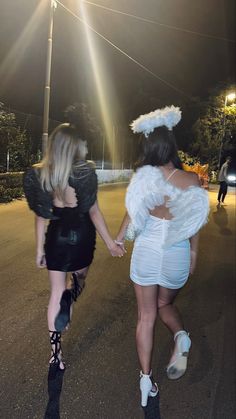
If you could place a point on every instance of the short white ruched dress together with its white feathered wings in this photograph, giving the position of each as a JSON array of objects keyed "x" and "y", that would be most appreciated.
[{"x": 161, "y": 253}]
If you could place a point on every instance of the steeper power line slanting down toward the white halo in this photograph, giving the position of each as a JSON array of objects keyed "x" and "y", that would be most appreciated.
[{"x": 123, "y": 52}]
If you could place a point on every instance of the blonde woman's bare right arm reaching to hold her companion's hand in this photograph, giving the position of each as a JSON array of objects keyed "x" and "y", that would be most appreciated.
[{"x": 101, "y": 227}]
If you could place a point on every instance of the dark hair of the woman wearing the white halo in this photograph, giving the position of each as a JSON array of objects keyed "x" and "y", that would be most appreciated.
[{"x": 159, "y": 149}]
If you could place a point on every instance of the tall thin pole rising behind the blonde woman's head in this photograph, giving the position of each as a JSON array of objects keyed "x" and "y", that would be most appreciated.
[{"x": 53, "y": 6}]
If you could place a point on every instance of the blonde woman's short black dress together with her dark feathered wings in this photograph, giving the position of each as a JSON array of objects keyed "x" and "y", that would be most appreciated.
[{"x": 71, "y": 236}]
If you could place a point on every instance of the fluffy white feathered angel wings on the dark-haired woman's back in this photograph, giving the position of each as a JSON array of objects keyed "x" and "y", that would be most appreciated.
[{"x": 148, "y": 189}]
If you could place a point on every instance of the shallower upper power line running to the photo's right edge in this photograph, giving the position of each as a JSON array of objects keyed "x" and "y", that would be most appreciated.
[{"x": 154, "y": 22}]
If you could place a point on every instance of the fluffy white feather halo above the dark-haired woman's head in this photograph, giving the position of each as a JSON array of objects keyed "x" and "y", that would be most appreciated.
[{"x": 168, "y": 117}]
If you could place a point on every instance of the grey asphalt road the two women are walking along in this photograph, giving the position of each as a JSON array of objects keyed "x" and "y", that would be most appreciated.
[{"x": 101, "y": 379}]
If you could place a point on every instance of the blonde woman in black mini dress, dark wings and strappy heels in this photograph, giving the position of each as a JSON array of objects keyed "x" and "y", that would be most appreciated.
[{"x": 63, "y": 189}]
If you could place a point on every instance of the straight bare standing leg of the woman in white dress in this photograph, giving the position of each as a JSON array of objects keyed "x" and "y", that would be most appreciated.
[{"x": 147, "y": 313}]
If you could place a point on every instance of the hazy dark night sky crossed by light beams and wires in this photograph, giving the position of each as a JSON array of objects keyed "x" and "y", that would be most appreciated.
[{"x": 191, "y": 63}]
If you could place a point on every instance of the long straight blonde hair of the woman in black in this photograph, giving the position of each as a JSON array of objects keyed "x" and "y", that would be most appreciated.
[{"x": 64, "y": 149}]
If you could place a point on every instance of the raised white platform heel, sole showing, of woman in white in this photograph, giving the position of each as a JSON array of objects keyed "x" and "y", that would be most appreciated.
[{"x": 177, "y": 368}]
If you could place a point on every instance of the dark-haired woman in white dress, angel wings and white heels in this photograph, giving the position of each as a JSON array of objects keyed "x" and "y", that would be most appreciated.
[{"x": 167, "y": 207}]
